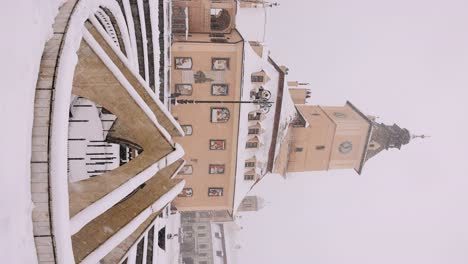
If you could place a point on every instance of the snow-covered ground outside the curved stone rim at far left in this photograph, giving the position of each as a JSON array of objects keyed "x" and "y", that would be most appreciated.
[{"x": 25, "y": 26}]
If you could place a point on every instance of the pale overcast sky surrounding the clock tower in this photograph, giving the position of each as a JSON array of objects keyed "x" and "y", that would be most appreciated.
[{"x": 407, "y": 62}]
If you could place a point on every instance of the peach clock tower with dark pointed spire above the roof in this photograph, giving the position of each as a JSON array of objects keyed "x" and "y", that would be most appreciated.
[{"x": 324, "y": 138}]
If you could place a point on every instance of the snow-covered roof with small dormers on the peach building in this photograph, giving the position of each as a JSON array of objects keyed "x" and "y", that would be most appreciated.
[{"x": 273, "y": 124}]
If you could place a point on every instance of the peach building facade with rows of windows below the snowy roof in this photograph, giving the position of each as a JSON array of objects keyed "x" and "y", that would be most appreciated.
[{"x": 204, "y": 71}]
